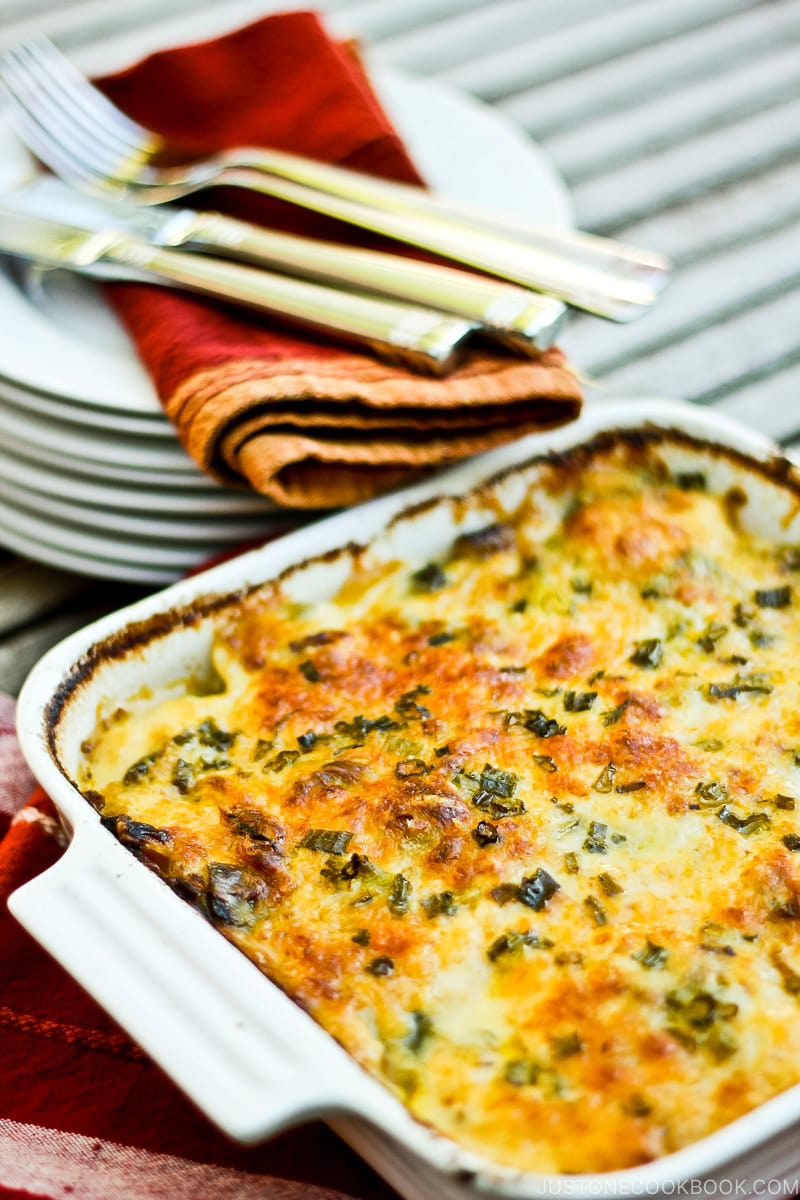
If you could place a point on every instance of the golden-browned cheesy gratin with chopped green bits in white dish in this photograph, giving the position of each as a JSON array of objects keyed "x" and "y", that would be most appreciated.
[{"x": 519, "y": 825}]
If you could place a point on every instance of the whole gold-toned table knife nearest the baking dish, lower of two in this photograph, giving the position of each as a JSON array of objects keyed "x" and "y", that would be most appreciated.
[{"x": 420, "y": 338}]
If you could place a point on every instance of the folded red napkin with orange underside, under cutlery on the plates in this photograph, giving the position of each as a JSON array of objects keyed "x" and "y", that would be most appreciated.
[{"x": 303, "y": 419}]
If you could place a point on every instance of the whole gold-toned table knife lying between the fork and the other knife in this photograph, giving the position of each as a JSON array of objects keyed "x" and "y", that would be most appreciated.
[{"x": 525, "y": 321}]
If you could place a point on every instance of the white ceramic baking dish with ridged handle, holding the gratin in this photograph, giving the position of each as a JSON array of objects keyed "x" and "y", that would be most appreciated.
[{"x": 248, "y": 1057}]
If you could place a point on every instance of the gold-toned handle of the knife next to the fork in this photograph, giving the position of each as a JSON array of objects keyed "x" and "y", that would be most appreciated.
[{"x": 519, "y": 317}]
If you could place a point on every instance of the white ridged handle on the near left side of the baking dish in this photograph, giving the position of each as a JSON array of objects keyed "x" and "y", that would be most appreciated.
[{"x": 246, "y": 1055}]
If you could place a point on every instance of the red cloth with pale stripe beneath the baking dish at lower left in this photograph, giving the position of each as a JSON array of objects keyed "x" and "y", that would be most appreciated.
[{"x": 83, "y": 1113}]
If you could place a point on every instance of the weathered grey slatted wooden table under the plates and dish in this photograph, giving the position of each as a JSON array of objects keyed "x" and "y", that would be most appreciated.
[{"x": 676, "y": 124}]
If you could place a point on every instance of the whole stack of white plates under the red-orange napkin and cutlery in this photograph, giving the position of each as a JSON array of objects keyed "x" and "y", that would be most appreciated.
[{"x": 92, "y": 475}]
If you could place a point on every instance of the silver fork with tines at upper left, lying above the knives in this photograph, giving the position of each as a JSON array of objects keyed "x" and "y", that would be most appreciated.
[{"x": 82, "y": 137}]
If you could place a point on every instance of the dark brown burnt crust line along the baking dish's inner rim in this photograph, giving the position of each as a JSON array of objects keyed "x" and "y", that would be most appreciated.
[{"x": 777, "y": 470}]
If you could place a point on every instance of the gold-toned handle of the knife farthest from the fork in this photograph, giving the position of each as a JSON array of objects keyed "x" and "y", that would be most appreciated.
[{"x": 424, "y": 339}]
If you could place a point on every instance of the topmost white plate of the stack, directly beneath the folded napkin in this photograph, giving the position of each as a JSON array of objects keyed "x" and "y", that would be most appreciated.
[{"x": 62, "y": 338}]
